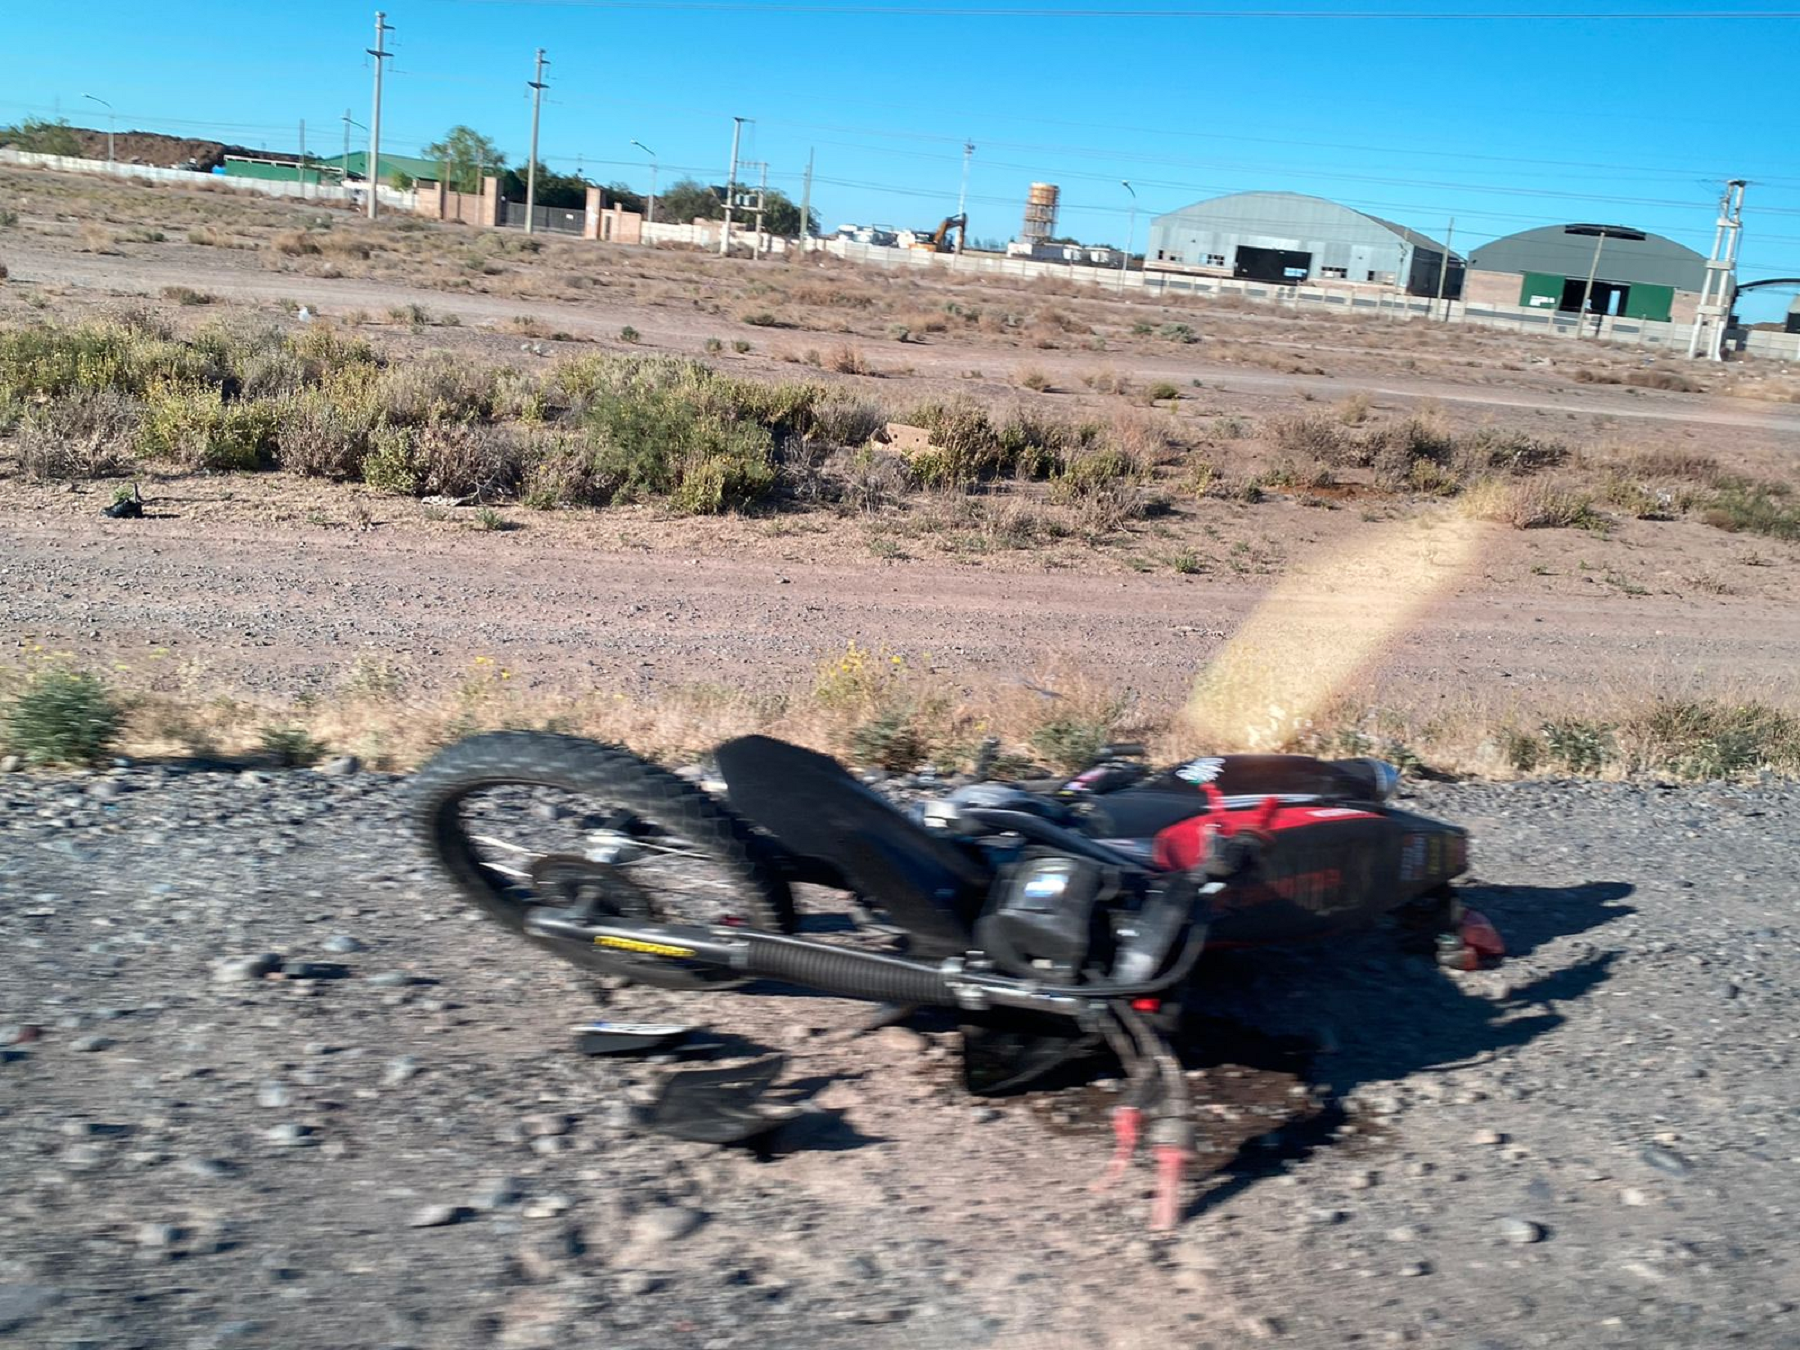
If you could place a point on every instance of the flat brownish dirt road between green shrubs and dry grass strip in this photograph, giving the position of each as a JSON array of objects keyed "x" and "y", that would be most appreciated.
[{"x": 273, "y": 611}]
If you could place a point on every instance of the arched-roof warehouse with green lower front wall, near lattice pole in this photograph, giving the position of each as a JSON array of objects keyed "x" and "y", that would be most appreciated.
[{"x": 1635, "y": 274}]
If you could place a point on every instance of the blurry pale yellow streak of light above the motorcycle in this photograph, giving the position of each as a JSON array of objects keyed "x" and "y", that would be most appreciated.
[{"x": 1327, "y": 622}]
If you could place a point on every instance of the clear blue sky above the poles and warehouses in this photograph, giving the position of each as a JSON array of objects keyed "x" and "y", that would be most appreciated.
[{"x": 1502, "y": 123}]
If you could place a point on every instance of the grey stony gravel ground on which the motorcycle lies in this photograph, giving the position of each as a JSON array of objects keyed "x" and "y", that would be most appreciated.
[{"x": 391, "y": 1140}]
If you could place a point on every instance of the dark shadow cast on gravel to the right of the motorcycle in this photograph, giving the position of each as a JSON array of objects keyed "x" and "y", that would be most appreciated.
[{"x": 1275, "y": 1083}]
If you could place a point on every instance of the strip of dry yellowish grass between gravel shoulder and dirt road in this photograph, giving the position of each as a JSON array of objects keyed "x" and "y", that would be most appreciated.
[{"x": 886, "y": 708}]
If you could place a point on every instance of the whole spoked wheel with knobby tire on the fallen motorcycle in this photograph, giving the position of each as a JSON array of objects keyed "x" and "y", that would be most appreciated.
[{"x": 523, "y": 818}]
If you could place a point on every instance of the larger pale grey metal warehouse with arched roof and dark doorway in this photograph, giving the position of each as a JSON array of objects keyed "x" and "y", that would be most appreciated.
[{"x": 1291, "y": 238}]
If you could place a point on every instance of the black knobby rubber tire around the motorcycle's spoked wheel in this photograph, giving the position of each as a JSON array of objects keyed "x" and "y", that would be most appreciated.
[{"x": 676, "y": 809}]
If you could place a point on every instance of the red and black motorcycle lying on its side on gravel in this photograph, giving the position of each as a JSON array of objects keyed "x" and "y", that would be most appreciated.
[{"x": 1052, "y": 919}]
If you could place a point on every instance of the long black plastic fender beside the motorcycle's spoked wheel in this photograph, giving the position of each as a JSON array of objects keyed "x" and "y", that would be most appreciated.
[{"x": 822, "y": 813}]
